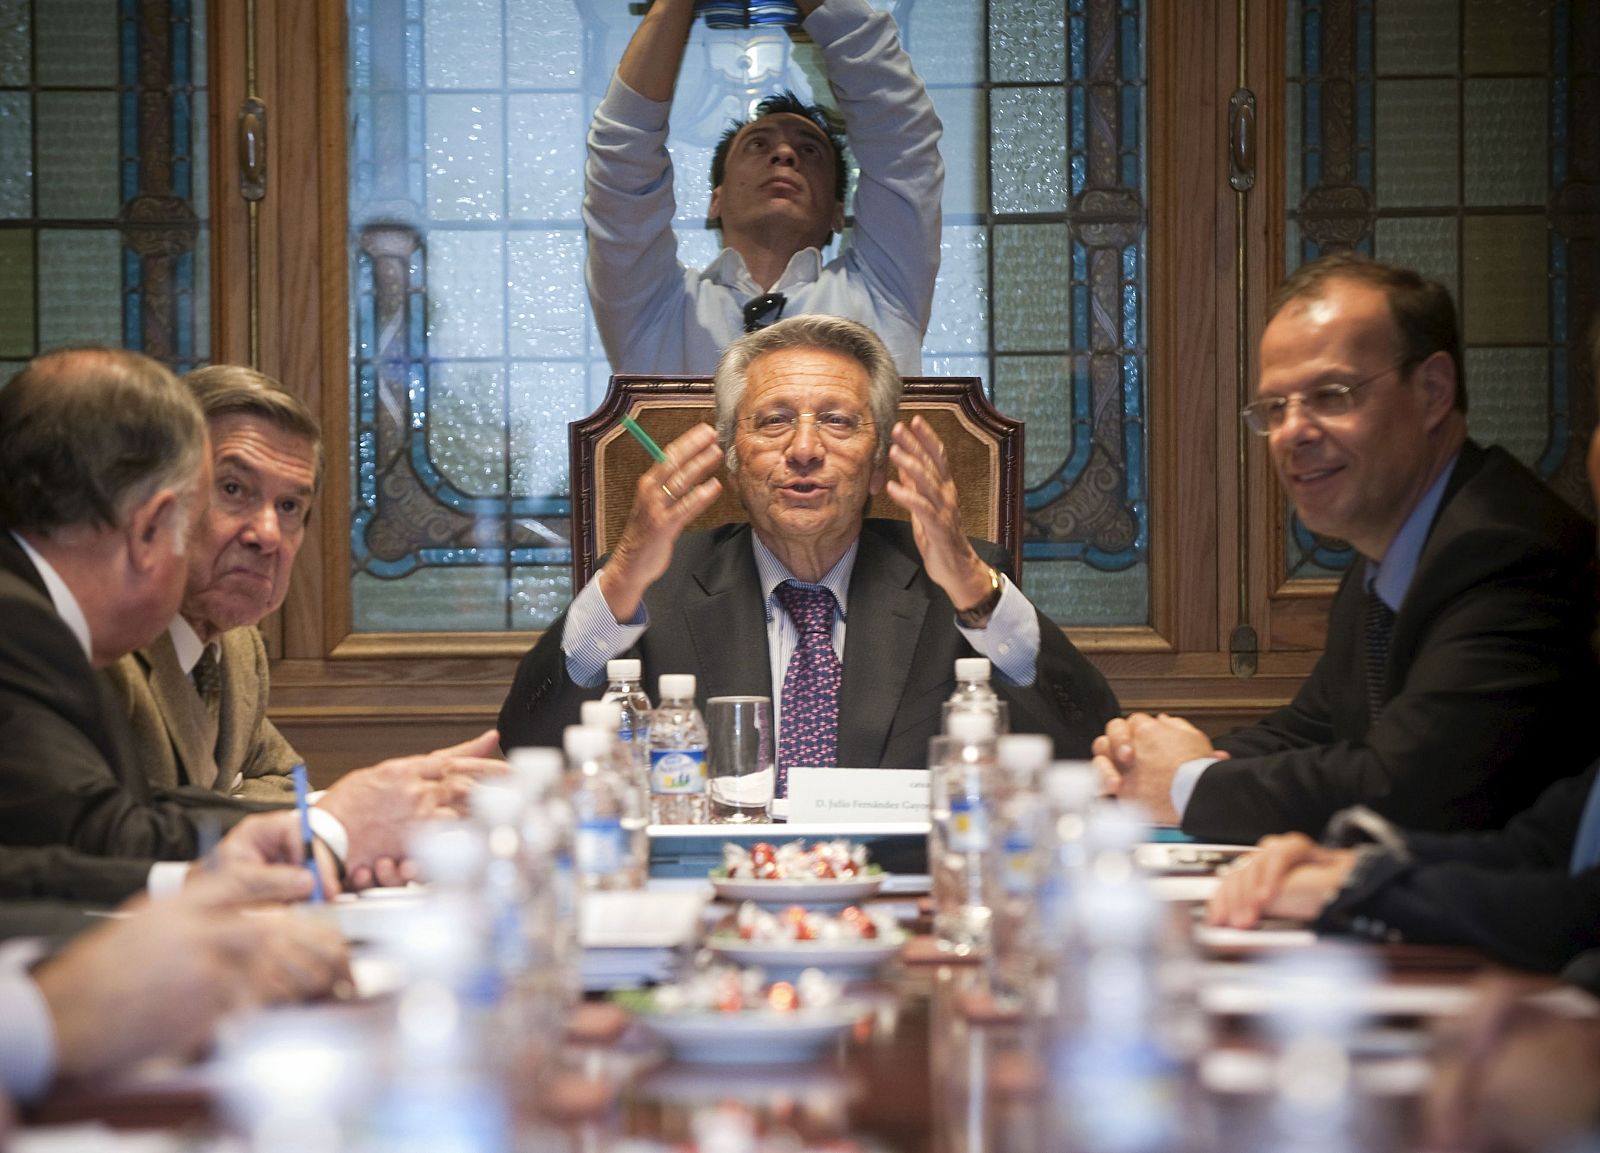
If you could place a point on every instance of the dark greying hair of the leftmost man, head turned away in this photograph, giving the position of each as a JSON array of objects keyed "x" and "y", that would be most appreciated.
[{"x": 89, "y": 434}]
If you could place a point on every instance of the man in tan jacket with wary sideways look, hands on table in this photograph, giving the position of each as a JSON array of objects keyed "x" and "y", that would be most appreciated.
[{"x": 198, "y": 695}]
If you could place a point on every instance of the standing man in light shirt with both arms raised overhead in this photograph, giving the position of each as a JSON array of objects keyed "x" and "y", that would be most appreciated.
[{"x": 778, "y": 197}]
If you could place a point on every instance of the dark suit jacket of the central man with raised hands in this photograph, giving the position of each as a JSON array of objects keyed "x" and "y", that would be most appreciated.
[{"x": 902, "y": 644}]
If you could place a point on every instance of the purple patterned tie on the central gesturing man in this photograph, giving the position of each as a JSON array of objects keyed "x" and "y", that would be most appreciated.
[{"x": 809, "y": 724}]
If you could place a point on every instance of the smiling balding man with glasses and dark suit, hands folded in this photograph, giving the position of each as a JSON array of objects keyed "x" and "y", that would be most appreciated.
[{"x": 1458, "y": 642}]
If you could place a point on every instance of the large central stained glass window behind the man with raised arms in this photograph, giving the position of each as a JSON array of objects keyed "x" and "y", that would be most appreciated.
[{"x": 471, "y": 335}]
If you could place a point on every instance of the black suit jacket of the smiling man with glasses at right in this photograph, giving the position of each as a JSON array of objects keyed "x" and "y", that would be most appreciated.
[{"x": 1489, "y": 664}]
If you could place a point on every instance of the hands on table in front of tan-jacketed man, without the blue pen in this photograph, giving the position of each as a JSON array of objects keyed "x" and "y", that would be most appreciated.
[{"x": 378, "y": 805}]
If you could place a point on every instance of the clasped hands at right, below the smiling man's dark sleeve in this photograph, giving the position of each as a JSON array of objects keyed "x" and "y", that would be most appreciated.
[{"x": 1289, "y": 877}]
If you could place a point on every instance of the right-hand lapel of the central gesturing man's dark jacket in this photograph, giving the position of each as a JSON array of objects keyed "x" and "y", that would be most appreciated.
[{"x": 881, "y": 644}]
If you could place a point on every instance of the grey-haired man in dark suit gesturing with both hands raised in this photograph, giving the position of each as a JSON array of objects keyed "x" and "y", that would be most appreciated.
[{"x": 806, "y": 420}]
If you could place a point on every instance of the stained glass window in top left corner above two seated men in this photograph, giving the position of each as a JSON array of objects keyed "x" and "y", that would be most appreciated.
[{"x": 103, "y": 183}]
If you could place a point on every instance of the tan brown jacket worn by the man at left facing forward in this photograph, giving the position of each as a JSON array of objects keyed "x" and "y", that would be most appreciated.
[{"x": 172, "y": 728}]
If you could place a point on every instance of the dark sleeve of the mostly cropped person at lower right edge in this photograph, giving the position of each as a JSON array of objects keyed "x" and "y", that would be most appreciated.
[{"x": 1508, "y": 893}]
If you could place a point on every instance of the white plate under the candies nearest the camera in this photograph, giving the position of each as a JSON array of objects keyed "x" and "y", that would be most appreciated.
[{"x": 754, "y": 1037}]
